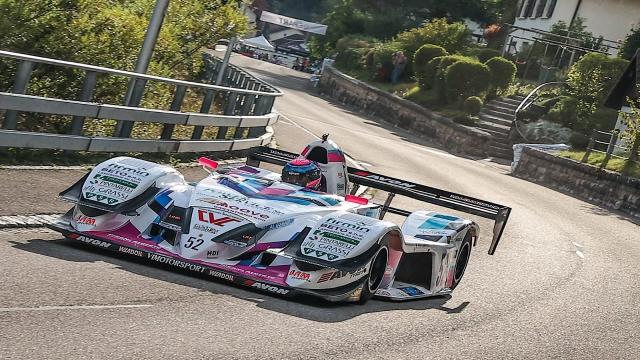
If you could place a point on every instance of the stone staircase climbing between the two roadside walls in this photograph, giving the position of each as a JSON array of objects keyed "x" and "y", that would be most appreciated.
[{"x": 495, "y": 118}]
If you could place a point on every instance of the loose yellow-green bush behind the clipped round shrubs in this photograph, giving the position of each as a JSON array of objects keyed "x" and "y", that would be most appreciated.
[{"x": 452, "y": 37}]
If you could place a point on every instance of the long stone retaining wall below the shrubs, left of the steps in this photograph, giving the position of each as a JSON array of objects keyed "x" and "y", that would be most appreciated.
[{"x": 405, "y": 114}]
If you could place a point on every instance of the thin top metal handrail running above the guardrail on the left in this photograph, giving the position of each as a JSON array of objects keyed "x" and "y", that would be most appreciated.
[{"x": 99, "y": 69}]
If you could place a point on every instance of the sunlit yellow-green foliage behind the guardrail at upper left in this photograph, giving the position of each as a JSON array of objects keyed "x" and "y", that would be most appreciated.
[{"x": 110, "y": 33}]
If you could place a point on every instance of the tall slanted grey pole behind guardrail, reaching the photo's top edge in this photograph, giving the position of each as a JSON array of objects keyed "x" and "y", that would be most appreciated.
[{"x": 136, "y": 86}]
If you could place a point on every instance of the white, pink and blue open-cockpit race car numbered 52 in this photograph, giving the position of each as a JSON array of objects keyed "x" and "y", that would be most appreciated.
[{"x": 243, "y": 224}]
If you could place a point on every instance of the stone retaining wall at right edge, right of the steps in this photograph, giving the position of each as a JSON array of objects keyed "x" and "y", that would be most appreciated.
[{"x": 602, "y": 187}]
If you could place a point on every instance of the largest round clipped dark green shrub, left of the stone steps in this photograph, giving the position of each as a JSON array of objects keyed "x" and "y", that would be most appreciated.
[{"x": 466, "y": 78}]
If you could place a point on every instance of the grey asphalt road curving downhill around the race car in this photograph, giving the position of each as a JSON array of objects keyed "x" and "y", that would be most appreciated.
[{"x": 564, "y": 282}]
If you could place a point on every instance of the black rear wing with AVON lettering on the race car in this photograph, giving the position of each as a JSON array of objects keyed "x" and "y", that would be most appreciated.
[{"x": 393, "y": 186}]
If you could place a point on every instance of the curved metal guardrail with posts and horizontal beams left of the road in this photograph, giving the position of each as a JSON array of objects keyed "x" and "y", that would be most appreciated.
[{"x": 245, "y": 103}]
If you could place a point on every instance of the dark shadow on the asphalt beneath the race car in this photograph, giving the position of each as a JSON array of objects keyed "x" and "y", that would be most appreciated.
[{"x": 306, "y": 307}]
